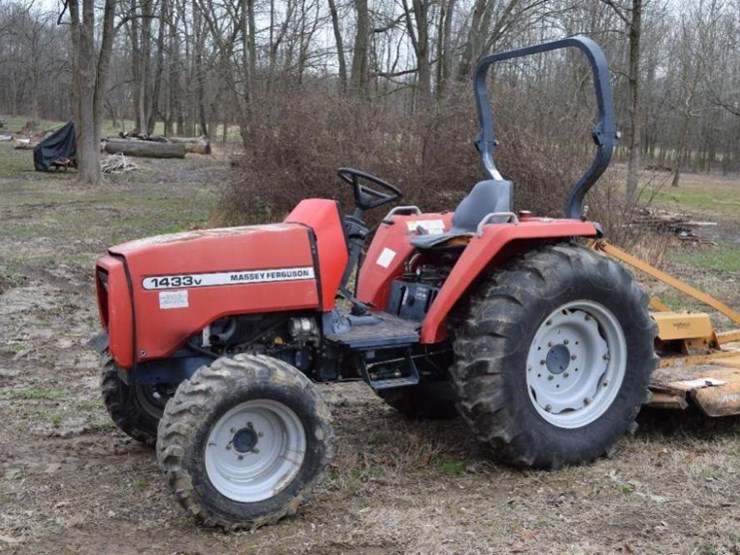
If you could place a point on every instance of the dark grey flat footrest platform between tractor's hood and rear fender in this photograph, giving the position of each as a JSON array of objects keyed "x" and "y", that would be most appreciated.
[{"x": 379, "y": 330}]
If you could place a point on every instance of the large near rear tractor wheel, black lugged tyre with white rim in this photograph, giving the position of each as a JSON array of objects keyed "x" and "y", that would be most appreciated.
[{"x": 554, "y": 359}]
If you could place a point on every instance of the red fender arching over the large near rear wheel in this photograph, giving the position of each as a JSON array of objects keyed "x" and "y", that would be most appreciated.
[{"x": 493, "y": 247}]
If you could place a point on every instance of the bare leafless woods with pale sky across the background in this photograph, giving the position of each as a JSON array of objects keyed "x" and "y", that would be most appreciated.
[{"x": 215, "y": 67}]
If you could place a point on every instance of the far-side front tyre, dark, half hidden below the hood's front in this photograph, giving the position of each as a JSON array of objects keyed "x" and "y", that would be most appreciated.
[{"x": 136, "y": 410}]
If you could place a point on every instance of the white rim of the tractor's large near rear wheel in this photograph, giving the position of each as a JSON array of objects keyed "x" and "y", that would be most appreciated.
[{"x": 576, "y": 364}]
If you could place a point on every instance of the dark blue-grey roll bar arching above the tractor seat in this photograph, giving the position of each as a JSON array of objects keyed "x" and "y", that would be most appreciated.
[{"x": 604, "y": 133}]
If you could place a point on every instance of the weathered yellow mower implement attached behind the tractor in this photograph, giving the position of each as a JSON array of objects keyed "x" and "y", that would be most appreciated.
[{"x": 697, "y": 364}]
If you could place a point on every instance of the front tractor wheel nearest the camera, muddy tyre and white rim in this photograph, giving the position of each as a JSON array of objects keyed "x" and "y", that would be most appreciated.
[{"x": 244, "y": 441}]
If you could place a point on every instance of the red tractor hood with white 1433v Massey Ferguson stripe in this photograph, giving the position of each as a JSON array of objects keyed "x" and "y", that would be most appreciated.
[{"x": 155, "y": 293}]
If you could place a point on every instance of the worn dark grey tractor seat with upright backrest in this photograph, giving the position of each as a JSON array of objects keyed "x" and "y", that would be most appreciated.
[{"x": 492, "y": 195}]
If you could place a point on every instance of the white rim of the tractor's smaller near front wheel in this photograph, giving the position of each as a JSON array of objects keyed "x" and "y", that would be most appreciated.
[{"x": 255, "y": 450}]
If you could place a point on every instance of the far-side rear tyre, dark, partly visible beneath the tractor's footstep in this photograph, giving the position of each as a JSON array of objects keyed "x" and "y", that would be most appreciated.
[{"x": 427, "y": 400}]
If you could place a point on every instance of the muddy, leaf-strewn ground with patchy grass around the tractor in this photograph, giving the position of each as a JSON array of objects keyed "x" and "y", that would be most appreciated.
[{"x": 71, "y": 483}]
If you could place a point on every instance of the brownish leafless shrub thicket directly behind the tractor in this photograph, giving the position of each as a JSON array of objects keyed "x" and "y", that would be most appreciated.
[{"x": 304, "y": 133}]
